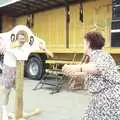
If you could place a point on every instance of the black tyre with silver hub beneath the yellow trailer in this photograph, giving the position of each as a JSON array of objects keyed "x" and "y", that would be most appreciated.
[{"x": 35, "y": 68}]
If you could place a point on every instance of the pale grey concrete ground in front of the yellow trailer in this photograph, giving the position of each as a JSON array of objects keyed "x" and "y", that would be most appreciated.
[{"x": 65, "y": 105}]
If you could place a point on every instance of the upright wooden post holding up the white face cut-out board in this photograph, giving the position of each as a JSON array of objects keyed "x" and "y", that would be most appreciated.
[{"x": 19, "y": 89}]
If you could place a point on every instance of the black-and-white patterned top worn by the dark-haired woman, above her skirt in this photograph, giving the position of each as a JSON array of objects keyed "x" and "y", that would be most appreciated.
[{"x": 107, "y": 74}]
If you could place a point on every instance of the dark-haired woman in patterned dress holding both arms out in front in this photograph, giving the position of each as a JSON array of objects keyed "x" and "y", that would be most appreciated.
[{"x": 103, "y": 80}]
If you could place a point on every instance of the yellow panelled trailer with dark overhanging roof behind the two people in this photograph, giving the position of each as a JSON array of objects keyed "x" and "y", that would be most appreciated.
[{"x": 62, "y": 24}]
